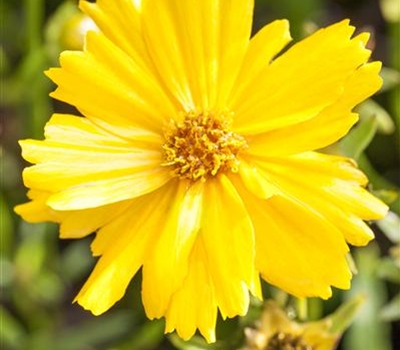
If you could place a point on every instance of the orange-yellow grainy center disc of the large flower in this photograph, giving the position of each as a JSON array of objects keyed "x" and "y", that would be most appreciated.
[{"x": 201, "y": 145}]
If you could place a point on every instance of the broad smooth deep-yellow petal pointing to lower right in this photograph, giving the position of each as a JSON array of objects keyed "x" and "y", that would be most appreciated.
[{"x": 296, "y": 249}]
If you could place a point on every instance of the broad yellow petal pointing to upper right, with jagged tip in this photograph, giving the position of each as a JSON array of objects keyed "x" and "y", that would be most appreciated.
[{"x": 303, "y": 81}]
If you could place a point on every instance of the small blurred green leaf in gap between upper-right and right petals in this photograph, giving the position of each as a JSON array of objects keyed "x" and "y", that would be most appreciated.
[{"x": 360, "y": 137}]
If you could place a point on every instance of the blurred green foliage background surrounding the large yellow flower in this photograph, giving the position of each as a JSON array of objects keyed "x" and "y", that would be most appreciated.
[{"x": 40, "y": 274}]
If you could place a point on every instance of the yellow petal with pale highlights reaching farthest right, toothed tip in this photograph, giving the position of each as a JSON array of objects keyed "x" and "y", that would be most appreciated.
[{"x": 333, "y": 186}]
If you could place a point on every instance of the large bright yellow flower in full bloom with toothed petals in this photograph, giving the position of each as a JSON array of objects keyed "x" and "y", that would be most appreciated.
[{"x": 195, "y": 159}]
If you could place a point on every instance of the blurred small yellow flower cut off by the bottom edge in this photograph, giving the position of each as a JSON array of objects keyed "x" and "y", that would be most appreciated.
[{"x": 277, "y": 331}]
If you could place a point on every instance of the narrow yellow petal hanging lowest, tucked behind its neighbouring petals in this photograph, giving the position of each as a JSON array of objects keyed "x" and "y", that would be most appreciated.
[{"x": 194, "y": 305}]
